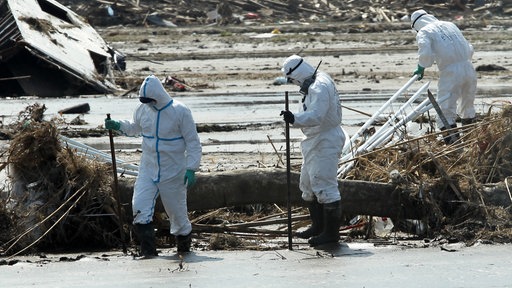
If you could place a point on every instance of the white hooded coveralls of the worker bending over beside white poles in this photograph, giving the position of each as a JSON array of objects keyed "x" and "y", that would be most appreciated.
[{"x": 443, "y": 43}]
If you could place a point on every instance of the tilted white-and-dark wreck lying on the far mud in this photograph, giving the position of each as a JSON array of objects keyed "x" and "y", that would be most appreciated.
[{"x": 47, "y": 50}]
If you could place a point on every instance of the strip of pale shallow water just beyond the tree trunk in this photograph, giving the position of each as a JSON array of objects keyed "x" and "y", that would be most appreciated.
[{"x": 254, "y": 116}]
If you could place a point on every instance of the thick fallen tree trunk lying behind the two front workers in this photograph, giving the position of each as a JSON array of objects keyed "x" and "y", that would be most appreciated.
[{"x": 268, "y": 186}]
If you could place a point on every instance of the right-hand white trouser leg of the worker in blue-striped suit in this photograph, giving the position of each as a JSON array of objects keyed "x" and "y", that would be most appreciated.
[{"x": 174, "y": 198}]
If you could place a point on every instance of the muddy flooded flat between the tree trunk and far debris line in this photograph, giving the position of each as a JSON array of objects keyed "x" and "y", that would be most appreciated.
[{"x": 230, "y": 74}]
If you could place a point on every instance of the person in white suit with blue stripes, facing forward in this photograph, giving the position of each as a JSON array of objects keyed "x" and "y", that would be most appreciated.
[{"x": 171, "y": 153}]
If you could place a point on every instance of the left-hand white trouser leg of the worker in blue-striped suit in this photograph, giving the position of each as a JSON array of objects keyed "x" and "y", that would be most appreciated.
[{"x": 143, "y": 200}]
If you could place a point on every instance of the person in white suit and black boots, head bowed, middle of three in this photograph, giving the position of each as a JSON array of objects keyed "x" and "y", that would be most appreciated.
[{"x": 319, "y": 118}]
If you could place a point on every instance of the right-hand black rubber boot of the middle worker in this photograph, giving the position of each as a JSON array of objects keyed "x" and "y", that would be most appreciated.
[{"x": 332, "y": 222}]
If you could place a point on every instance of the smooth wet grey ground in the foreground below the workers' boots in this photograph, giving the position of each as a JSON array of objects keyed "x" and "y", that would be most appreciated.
[{"x": 347, "y": 265}]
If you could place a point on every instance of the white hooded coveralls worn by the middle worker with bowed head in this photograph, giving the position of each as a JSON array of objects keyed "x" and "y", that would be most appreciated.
[{"x": 319, "y": 118}]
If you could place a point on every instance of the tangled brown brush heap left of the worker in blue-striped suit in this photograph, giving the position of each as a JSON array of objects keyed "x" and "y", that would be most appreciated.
[{"x": 58, "y": 200}]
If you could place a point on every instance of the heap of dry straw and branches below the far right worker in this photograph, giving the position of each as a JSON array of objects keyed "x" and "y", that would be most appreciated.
[{"x": 465, "y": 186}]
